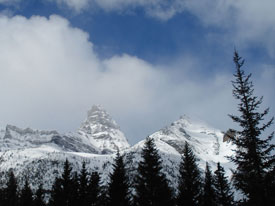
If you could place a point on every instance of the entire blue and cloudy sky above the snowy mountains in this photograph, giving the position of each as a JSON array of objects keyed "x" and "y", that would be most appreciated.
[{"x": 147, "y": 62}]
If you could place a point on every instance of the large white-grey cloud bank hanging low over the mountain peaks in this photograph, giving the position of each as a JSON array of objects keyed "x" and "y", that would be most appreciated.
[{"x": 50, "y": 76}]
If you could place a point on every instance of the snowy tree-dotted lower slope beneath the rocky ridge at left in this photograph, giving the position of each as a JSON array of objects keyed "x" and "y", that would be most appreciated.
[{"x": 43, "y": 164}]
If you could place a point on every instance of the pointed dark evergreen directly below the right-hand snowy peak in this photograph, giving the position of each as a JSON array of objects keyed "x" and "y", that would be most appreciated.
[{"x": 190, "y": 179}]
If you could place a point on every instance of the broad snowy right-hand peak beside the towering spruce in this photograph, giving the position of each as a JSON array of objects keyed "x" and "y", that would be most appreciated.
[{"x": 206, "y": 142}]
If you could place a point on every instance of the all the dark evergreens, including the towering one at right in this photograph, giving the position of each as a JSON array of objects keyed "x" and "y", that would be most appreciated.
[{"x": 253, "y": 179}]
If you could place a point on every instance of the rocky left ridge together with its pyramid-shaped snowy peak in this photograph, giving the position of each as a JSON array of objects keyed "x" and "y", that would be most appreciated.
[{"x": 99, "y": 133}]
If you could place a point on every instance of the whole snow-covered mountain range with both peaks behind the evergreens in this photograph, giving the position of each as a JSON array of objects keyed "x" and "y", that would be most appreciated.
[{"x": 40, "y": 154}]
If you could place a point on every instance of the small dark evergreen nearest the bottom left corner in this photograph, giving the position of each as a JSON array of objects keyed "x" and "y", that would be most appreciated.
[{"x": 10, "y": 193}]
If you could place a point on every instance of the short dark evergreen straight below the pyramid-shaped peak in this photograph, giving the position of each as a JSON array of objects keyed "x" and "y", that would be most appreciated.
[{"x": 94, "y": 190}]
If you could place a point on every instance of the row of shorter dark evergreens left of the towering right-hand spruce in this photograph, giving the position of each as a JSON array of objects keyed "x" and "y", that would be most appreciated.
[{"x": 151, "y": 187}]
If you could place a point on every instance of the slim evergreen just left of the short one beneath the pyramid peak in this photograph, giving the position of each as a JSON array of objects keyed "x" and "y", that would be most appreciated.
[{"x": 83, "y": 186}]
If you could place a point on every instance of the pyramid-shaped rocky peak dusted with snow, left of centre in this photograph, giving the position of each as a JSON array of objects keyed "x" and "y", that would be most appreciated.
[{"x": 102, "y": 131}]
